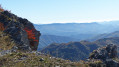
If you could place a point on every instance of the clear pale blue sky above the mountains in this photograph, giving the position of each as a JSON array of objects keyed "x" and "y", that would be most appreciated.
[{"x": 64, "y": 11}]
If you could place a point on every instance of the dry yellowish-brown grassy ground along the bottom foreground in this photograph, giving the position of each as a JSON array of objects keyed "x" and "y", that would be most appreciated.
[{"x": 21, "y": 59}]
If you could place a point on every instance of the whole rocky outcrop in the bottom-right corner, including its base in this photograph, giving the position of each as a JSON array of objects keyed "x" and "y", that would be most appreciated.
[{"x": 107, "y": 55}]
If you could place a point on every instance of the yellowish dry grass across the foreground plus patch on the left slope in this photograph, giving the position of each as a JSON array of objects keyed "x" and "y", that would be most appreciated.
[{"x": 27, "y": 59}]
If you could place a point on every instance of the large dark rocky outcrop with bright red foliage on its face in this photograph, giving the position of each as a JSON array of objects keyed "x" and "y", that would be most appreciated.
[{"x": 20, "y": 30}]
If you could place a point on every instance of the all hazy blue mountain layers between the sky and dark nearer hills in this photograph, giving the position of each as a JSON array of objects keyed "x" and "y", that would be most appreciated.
[{"x": 63, "y": 33}]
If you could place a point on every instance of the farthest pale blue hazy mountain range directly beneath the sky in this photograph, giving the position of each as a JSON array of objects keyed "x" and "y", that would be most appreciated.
[{"x": 78, "y": 30}]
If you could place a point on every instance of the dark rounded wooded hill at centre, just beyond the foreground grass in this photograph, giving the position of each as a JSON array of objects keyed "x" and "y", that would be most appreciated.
[{"x": 73, "y": 51}]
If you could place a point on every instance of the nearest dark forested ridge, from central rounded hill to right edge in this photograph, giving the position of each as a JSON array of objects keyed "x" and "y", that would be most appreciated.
[{"x": 76, "y": 51}]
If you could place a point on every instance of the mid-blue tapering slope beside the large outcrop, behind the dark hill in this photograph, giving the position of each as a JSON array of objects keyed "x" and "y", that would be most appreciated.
[{"x": 46, "y": 40}]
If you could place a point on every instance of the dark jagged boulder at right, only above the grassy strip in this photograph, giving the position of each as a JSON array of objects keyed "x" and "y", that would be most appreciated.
[{"x": 107, "y": 52}]
